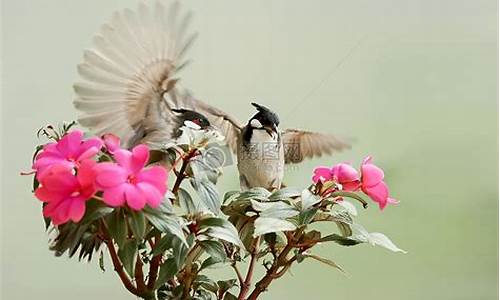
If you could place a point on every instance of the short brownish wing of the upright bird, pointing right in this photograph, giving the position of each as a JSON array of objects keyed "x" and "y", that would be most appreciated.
[{"x": 301, "y": 144}]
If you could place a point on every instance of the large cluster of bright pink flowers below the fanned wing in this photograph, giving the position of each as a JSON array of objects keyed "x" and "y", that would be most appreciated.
[{"x": 69, "y": 175}]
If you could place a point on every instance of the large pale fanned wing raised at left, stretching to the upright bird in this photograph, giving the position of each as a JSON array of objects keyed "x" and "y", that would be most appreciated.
[{"x": 129, "y": 76}]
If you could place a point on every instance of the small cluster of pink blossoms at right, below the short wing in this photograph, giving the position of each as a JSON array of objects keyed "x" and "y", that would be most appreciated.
[{"x": 370, "y": 180}]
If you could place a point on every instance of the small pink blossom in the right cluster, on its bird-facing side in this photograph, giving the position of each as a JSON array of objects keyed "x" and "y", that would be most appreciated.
[{"x": 343, "y": 174}]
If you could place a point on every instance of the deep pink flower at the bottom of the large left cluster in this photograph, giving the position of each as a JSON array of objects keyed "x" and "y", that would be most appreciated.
[{"x": 66, "y": 193}]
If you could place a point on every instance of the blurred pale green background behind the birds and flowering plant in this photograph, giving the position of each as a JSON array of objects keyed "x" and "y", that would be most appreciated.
[{"x": 414, "y": 82}]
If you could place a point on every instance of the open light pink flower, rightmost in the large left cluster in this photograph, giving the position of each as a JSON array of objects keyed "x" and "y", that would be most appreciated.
[{"x": 128, "y": 181}]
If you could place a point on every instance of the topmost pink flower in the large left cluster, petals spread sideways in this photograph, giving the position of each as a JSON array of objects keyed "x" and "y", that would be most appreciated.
[{"x": 69, "y": 152}]
